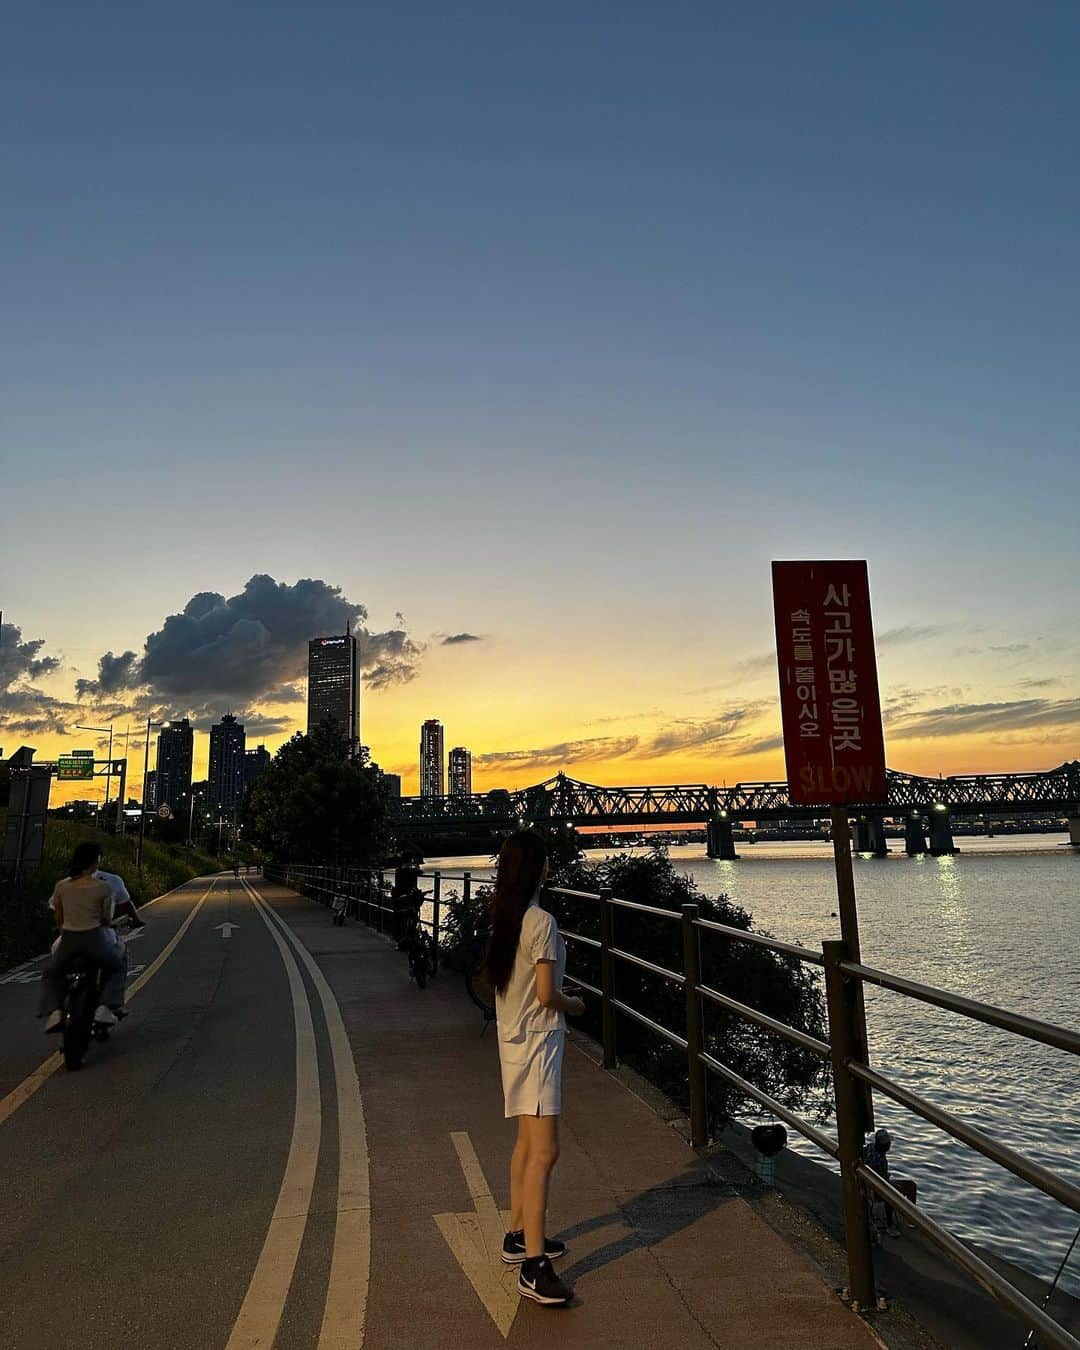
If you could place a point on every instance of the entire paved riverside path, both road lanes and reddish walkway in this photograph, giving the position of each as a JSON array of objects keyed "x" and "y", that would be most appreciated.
[{"x": 288, "y": 1144}]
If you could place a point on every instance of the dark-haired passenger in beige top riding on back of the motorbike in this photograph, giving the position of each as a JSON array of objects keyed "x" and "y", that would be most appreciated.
[{"x": 83, "y": 909}]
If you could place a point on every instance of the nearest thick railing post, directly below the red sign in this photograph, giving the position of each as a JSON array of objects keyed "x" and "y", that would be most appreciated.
[{"x": 844, "y": 1019}]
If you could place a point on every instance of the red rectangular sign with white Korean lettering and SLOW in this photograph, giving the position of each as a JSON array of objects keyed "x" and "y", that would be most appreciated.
[{"x": 830, "y": 701}]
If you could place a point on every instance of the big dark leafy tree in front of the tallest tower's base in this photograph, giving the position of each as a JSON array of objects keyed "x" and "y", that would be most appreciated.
[{"x": 317, "y": 805}]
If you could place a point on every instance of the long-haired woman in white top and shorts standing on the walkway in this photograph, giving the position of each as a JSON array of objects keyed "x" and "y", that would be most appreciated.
[{"x": 526, "y": 963}]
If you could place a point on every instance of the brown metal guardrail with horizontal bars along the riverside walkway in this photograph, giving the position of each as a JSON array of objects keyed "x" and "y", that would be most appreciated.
[{"x": 854, "y": 1079}]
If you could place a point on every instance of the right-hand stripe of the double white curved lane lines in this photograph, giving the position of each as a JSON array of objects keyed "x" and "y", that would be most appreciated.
[{"x": 346, "y": 1309}]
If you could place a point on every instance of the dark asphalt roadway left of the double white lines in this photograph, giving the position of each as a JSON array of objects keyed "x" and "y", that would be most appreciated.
[{"x": 138, "y": 1193}]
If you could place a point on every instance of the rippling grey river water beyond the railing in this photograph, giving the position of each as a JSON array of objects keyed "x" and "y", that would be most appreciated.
[{"x": 998, "y": 923}]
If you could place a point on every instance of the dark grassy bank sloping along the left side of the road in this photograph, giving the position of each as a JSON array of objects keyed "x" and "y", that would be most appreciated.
[{"x": 26, "y": 924}]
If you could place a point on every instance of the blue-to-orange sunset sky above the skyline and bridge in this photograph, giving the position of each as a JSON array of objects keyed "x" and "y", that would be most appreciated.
[{"x": 546, "y": 330}]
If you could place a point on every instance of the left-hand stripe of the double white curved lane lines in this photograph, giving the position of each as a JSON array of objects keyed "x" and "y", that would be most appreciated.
[{"x": 257, "y": 1324}]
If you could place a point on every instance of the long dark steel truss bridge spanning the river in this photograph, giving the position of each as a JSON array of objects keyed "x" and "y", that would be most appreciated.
[{"x": 566, "y": 801}]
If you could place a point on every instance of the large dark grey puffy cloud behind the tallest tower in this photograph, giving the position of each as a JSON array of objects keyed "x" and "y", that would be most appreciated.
[{"x": 250, "y": 647}]
